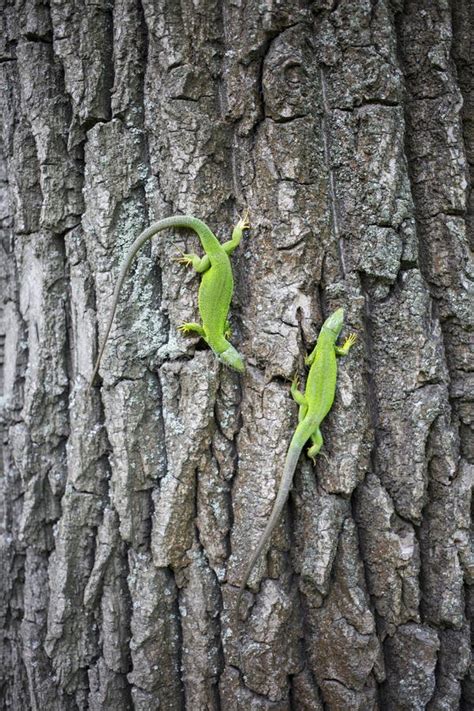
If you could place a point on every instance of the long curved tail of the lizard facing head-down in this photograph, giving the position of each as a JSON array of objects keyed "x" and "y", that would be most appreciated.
[{"x": 209, "y": 242}]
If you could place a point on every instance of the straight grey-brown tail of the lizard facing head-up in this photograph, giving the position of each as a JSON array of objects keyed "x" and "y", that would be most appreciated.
[{"x": 294, "y": 450}]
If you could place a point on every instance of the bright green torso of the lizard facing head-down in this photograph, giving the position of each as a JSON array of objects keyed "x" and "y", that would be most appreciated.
[{"x": 215, "y": 294}]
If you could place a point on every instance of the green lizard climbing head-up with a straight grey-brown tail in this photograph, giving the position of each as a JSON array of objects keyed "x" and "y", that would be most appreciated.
[{"x": 314, "y": 404}]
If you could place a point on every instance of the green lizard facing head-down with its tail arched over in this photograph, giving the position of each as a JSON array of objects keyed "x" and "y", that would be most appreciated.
[{"x": 215, "y": 290}]
